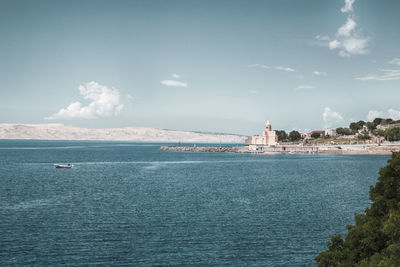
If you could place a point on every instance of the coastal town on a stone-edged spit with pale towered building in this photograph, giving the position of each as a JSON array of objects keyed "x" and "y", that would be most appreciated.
[{"x": 380, "y": 136}]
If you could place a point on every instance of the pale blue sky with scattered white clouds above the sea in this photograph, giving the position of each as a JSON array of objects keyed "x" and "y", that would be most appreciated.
[{"x": 213, "y": 66}]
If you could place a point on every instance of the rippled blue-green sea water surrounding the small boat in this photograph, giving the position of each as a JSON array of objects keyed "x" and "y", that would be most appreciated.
[{"x": 132, "y": 204}]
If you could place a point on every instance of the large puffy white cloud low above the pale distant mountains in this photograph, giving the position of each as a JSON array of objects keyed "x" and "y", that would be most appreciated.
[{"x": 105, "y": 102}]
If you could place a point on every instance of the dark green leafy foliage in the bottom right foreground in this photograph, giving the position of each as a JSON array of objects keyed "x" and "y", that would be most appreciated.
[{"x": 374, "y": 240}]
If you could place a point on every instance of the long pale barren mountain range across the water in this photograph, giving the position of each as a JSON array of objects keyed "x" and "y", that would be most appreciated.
[{"x": 140, "y": 134}]
